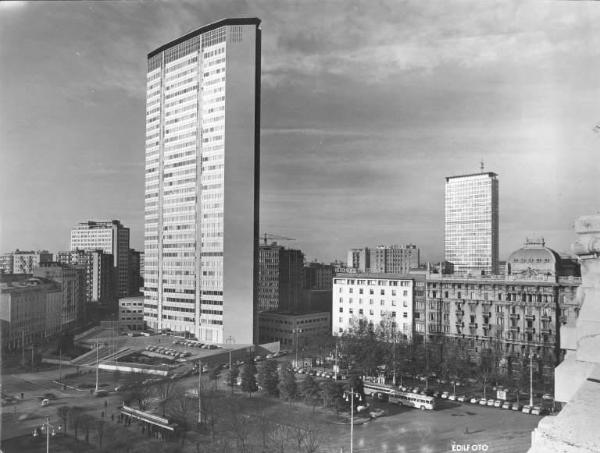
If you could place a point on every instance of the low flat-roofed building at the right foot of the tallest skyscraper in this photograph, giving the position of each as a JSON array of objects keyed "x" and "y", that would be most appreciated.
[{"x": 292, "y": 329}]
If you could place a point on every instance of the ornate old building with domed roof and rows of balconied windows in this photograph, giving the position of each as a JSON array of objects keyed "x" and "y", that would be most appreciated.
[{"x": 515, "y": 315}]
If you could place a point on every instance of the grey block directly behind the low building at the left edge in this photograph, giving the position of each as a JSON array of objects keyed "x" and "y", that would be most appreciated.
[{"x": 72, "y": 284}]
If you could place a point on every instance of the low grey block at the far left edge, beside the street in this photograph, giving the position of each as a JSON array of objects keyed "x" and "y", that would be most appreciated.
[{"x": 30, "y": 310}]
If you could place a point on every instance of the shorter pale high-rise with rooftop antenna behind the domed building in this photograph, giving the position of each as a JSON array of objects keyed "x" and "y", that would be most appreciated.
[{"x": 471, "y": 240}]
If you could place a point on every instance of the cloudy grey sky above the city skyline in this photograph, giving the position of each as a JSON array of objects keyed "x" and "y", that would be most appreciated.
[{"x": 366, "y": 107}]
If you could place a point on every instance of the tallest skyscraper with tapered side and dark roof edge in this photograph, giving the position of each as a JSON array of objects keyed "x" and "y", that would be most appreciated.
[{"x": 202, "y": 183}]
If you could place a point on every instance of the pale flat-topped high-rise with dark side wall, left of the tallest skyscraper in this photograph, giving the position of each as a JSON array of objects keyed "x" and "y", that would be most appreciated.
[{"x": 110, "y": 237}]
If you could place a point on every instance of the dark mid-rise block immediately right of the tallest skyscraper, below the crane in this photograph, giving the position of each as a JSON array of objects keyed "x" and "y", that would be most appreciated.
[{"x": 280, "y": 278}]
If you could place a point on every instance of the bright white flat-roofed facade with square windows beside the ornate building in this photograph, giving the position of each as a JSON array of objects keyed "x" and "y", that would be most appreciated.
[{"x": 375, "y": 298}]
